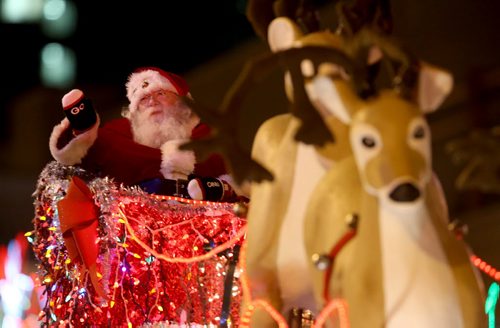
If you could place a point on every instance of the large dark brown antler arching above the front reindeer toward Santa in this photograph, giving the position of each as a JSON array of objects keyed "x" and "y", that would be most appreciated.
[{"x": 313, "y": 130}]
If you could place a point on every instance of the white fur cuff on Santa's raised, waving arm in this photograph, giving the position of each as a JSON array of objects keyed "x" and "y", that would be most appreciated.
[{"x": 75, "y": 150}]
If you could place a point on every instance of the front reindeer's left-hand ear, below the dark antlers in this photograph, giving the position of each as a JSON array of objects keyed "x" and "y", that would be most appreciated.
[{"x": 336, "y": 97}]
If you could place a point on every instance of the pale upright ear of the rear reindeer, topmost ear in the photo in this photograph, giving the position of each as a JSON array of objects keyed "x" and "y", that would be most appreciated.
[{"x": 281, "y": 34}]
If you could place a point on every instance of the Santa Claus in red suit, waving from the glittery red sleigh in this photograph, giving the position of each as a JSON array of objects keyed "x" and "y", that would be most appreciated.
[{"x": 142, "y": 147}]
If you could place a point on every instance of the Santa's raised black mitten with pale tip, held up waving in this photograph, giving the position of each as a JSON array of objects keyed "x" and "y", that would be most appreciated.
[{"x": 79, "y": 111}]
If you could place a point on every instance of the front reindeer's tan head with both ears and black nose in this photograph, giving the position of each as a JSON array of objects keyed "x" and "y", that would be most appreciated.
[{"x": 388, "y": 134}]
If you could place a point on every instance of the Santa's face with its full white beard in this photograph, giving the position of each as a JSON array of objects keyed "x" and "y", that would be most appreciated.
[{"x": 161, "y": 116}]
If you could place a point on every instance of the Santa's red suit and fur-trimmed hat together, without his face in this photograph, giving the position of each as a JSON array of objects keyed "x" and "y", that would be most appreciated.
[{"x": 111, "y": 151}]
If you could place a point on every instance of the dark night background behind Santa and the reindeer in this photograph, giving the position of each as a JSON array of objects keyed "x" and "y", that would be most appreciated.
[{"x": 208, "y": 42}]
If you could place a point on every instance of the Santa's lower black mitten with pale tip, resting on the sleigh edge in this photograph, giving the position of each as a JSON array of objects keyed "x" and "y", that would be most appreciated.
[{"x": 211, "y": 189}]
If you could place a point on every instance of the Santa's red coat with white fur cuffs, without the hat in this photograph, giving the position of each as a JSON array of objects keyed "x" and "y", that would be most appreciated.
[{"x": 111, "y": 151}]
